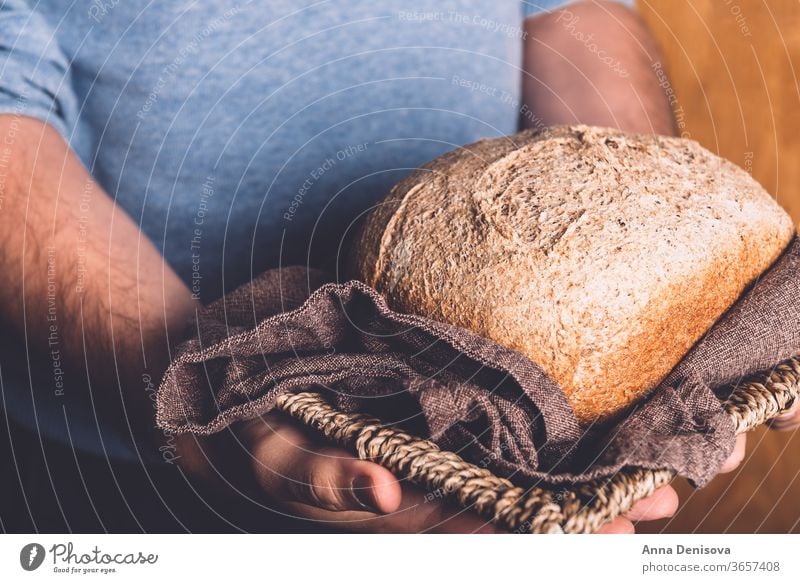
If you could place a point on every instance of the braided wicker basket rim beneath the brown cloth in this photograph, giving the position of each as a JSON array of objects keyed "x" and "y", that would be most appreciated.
[{"x": 536, "y": 510}]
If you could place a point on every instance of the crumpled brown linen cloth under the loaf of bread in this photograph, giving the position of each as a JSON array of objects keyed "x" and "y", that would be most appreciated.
[{"x": 289, "y": 330}]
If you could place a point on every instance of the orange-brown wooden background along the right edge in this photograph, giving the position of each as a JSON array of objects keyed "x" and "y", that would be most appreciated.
[{"x": 734, "y": 67}]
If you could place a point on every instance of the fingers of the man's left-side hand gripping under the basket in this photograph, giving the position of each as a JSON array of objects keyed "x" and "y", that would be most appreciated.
[{"x": 327, "y": 484}]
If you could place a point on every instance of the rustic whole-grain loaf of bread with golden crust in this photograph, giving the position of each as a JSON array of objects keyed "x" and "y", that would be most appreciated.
[{"x": 602, "y": 256}]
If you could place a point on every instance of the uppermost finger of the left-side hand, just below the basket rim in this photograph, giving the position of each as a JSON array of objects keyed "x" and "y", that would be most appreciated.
[{"x": 291, "y": 467}]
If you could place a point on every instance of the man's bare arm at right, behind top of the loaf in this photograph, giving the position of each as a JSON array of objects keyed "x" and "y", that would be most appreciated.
[{"x": 593, "y": 63}]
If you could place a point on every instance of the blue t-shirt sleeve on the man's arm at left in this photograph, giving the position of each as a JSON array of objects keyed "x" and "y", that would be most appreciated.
[{"x": 34, "y": 72}]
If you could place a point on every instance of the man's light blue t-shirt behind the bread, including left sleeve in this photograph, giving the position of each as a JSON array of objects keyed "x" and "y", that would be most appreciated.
[{"x": 240, "y": 136}]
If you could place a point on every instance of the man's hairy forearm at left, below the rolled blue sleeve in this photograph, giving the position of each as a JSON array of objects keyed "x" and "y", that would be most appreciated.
[{"x": 79, "y": 275}]
